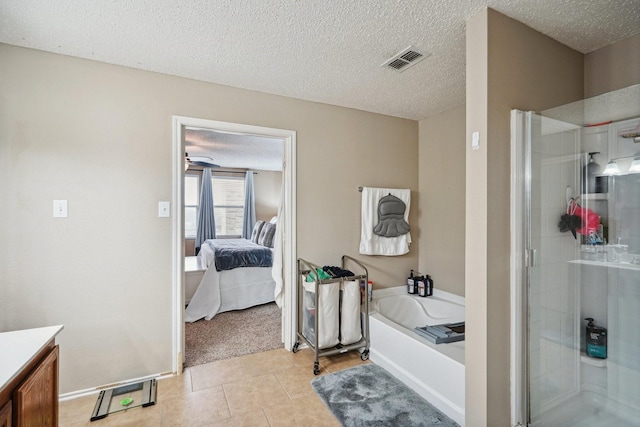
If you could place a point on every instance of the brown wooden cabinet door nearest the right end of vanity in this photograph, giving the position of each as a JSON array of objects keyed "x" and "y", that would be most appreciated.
[{"x": 36, "y": 400}]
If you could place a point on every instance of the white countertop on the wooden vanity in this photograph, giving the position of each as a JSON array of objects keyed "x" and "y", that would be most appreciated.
[{"x": 18, "y": 347}]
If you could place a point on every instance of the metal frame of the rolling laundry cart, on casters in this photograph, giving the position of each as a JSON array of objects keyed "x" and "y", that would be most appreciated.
[{"x": 306, "y": 267}]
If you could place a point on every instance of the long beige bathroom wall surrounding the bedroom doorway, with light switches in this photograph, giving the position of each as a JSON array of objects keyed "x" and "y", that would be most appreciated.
[{"x": 100, "y": 136}]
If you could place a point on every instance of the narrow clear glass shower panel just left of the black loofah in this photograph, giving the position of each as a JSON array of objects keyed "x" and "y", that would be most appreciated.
[{"x": 553, "y": 315}]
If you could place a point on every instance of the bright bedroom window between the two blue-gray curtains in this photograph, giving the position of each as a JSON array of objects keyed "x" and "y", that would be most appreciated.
[{"x": 228, "y": 205}]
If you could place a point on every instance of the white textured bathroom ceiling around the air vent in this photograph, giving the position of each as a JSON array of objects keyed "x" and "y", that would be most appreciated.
[{"x": 324, "y": 51}]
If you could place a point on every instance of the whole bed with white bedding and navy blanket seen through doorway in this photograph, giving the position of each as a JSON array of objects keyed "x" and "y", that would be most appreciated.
[{"x": 233, "y": 285}]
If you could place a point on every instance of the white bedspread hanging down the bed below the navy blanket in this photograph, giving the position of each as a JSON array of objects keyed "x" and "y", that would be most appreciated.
[{"x": 227, "y": 290}]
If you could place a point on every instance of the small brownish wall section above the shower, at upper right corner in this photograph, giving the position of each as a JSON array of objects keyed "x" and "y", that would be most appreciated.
[{"x": 613, "y": 67}]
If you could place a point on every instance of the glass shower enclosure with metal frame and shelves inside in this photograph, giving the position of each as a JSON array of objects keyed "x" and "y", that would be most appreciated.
[{"x": 576, "y": 253}]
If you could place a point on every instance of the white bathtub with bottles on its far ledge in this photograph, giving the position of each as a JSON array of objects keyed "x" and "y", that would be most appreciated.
[{"x": 434, "y": 371}]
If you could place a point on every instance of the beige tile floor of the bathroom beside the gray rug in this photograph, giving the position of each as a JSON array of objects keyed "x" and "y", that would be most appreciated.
[{"x": 263, "y": 389}]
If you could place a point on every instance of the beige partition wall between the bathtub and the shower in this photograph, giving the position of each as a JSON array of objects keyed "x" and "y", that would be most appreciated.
[{"x": 509, "y": 66}]
